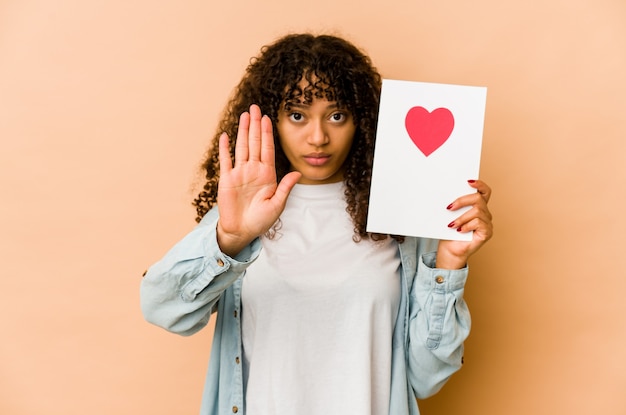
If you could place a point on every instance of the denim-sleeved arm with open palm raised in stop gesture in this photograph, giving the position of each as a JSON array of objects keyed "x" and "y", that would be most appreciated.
[{"x": 179, "y": 292}]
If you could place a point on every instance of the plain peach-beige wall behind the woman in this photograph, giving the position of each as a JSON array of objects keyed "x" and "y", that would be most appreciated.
[{"x": 106, "y": 108}]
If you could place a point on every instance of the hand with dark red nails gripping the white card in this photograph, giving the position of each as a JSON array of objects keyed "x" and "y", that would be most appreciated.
[{"x": 454, "y": 254}]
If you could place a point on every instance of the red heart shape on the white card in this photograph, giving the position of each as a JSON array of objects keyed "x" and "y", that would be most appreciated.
[{"x": 429, "y": 130}]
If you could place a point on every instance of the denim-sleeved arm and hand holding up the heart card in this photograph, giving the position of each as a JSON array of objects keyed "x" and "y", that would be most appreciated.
[{"x": 439, "y": 320}]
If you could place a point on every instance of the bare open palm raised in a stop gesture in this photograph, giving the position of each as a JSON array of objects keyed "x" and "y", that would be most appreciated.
[{"x": 249, "y": 198}]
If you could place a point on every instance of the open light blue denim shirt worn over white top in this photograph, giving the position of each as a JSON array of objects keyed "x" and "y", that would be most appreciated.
[{"x": 195, "y": 278}]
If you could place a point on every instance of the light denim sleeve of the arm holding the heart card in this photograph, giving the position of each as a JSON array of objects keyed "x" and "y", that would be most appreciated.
[{"x": 439, "y": 323}]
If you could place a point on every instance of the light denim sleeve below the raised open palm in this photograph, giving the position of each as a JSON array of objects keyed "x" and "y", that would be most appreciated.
[{"x": 180, "y": 291}]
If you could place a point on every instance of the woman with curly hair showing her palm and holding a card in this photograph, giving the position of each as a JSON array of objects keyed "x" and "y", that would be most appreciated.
[{"x": 314, "y": 314}]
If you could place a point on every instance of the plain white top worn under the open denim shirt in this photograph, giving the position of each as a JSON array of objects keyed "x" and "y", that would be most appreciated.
[{"x": 318, "y": 313}]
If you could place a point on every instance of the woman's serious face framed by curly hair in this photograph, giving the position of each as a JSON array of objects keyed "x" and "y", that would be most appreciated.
[{"x": 316, "y": 138}]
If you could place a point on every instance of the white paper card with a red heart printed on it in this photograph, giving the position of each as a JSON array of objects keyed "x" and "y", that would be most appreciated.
[{"x": 428, "y": 145}]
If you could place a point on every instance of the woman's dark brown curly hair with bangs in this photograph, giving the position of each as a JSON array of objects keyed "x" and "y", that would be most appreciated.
[{"x": 334, "y": 69}]
